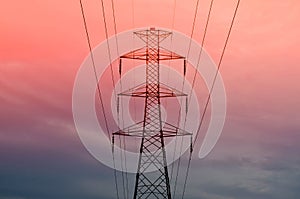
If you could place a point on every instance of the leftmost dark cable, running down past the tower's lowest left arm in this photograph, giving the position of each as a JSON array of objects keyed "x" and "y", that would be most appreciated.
[{"x": 99, "y": 91}]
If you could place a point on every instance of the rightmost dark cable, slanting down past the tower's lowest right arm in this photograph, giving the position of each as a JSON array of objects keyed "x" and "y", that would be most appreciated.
[{"x": 210, "y": 92}]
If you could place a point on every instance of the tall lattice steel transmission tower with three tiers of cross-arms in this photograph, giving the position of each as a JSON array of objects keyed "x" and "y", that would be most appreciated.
[{"x": 152, "y": 130}]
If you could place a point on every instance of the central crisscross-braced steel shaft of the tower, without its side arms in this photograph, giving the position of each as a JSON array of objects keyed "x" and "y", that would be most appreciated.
[{"x": 152, "y": 147}]
